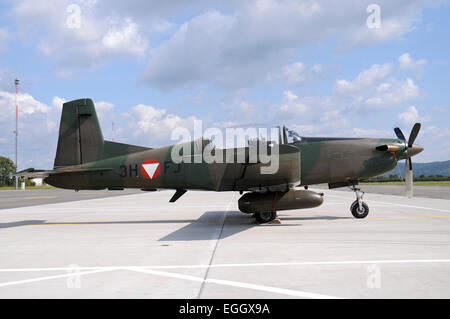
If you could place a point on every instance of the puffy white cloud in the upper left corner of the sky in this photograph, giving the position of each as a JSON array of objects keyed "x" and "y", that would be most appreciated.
[{"x": 96, "y": 41}]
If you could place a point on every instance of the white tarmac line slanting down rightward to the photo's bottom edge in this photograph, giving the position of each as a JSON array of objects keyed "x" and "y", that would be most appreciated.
[{"x": 289, "y": 292}]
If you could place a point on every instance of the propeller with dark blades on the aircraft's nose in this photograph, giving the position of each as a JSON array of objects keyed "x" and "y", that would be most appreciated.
[{"x": 411, "y": 150}]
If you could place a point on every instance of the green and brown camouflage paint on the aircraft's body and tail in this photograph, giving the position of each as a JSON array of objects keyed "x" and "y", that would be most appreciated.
[{"x": 85, "y": 161}]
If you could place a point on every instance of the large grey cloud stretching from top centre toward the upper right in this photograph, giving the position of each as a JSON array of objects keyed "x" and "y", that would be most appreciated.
[{"x": 241, "y": 49}]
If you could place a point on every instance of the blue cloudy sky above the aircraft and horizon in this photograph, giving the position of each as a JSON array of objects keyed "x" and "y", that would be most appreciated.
[{"x": 324, "y": 68}]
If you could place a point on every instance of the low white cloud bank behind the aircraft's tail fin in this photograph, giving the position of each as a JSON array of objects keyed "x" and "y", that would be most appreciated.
[{"x": 38, "y": 126}]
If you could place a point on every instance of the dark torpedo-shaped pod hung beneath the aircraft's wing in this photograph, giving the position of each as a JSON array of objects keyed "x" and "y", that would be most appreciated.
[{"x": 274, "y": 201}]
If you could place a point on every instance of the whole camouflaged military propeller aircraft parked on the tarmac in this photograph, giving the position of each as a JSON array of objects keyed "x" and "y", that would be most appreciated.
[{"x": 84, "y": 160}]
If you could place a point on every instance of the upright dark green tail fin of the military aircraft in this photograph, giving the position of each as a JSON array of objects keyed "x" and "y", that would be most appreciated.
[{"x": 80, "y": 137}]
